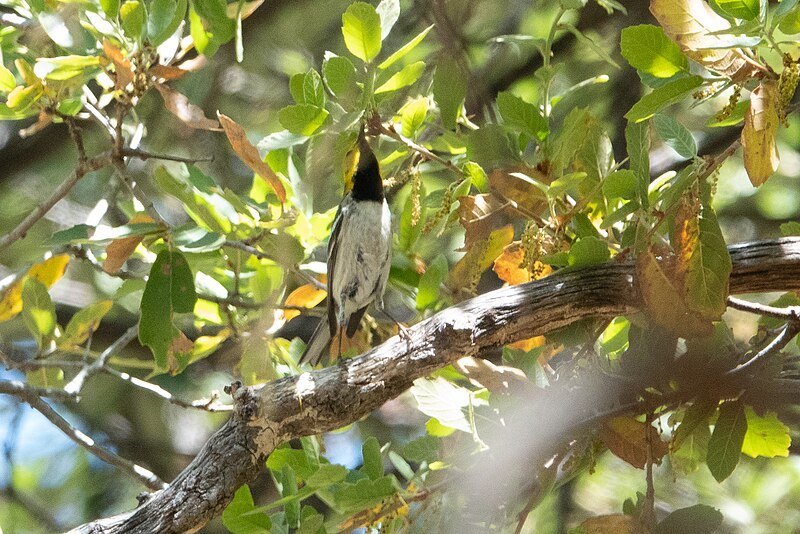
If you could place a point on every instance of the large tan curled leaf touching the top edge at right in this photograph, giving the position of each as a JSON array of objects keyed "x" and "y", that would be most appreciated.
[{"x": 690, "y": 23}]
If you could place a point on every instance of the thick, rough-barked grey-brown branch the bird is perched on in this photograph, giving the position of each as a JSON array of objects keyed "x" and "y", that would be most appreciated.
[{"x": 330, "y": 398}]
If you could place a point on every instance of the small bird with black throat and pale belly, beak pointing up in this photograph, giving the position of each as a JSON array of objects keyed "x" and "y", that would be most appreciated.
[{"x": 359, "y": 254}]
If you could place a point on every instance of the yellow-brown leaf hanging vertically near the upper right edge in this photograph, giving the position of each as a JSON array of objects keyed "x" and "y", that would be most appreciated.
[{"x": 758, "y": 136}]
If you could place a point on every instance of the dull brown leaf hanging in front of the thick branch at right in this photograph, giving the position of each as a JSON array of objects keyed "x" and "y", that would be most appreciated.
[{"x": 664, "y": 303}]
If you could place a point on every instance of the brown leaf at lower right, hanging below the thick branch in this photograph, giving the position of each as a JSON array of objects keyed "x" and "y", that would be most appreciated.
[{"x": 627, "y": 439}]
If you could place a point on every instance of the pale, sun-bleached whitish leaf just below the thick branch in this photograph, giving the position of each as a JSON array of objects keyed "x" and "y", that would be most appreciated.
[{"x": 444, "y": 401}]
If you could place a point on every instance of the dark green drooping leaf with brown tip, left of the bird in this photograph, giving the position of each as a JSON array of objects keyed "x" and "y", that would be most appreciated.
[{"x": 169, "y": 290}]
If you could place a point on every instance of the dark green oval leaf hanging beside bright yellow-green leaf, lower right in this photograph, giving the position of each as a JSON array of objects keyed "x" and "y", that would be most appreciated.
[{"x": 725, "y": 445}]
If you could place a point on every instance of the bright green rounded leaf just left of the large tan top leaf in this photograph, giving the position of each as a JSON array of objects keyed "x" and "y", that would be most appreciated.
[{"x": 648, "y": 49}]
